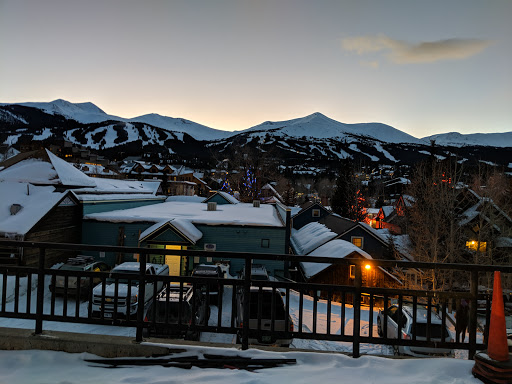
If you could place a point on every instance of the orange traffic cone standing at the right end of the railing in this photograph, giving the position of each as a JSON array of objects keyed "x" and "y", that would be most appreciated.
[{"x": 497, "y": 347}]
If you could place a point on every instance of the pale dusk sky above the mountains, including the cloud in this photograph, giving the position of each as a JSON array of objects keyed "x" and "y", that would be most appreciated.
[{"x": 424, "y": 67}]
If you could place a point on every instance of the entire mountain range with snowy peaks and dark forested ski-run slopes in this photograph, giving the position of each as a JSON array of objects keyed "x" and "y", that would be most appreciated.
[{"x": 312, "y": 138}]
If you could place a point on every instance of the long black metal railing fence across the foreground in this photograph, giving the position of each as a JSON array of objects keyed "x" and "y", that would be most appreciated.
[{"x": 238, "y": 303}]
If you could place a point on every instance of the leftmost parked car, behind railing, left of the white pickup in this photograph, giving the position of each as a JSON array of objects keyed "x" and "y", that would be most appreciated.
[{"x": 81, "y": 264}]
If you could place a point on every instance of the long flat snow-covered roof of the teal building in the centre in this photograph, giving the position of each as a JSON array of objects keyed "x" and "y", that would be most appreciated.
[{"x": 197, "y": 213}]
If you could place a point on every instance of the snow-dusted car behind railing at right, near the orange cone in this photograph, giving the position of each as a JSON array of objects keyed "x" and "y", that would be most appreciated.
[{"x": 409, "y": 329}]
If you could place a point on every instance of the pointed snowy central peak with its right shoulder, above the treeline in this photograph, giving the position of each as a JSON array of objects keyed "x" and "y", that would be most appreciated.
[{"x": 320, "y": 126}]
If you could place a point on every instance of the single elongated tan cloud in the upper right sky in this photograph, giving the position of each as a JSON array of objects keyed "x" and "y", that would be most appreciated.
[{"x": 401, "y": 52}]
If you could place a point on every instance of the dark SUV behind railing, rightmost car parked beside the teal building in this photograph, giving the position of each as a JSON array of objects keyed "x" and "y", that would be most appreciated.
[{"x": 264, "y": 300}]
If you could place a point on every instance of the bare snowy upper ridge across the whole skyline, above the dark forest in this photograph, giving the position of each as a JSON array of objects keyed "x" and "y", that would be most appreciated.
[{"x": 315, "y": 125}]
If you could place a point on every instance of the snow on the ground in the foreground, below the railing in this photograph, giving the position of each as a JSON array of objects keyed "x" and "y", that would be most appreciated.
[{"x": 59, "y": 367}]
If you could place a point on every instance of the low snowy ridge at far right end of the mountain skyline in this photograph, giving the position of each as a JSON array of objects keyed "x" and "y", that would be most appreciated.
[{"x": 486, "y": 139}]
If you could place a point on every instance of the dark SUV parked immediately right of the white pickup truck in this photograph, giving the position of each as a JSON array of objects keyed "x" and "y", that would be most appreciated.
[{"x": 163, "y": 315}]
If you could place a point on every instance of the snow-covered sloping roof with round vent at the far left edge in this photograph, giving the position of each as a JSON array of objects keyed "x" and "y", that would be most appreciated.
[{"x": 35, "y": 202}]
